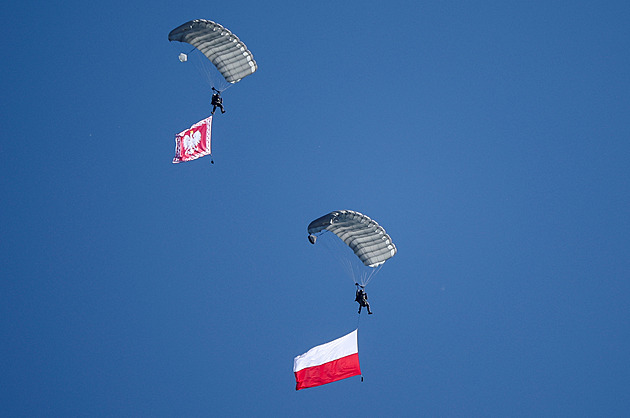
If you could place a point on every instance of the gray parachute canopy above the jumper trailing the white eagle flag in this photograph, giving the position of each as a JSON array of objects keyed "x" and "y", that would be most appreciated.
[{"x": 231, "y": 57}]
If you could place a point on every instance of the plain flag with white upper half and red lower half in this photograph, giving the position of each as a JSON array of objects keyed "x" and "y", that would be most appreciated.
[{"x": 328, "y": 362}]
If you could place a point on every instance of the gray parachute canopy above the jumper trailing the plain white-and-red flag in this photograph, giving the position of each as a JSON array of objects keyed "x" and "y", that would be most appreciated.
[{"x": 365, "y": 237}]
